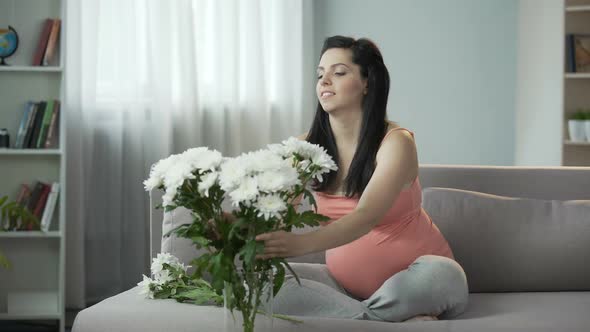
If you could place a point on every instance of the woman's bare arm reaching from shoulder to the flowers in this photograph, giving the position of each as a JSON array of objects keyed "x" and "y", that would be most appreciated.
[{"x": 397, "y": 164}]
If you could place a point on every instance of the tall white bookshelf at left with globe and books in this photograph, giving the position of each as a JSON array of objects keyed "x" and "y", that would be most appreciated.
[{"x": 33, "y": 291}]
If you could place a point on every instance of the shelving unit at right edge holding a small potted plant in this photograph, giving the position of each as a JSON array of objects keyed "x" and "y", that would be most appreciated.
[{"x": 576, "y": 84}]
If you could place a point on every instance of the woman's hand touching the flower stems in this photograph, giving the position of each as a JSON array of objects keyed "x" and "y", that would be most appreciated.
[{"x": 283, "y": 244}]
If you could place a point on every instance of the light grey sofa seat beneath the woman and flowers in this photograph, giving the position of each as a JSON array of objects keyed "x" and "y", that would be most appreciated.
[{"x": 535, "y": 312}]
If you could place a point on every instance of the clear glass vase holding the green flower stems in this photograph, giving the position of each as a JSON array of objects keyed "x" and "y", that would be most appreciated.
[{"x": 251, "y": 303}]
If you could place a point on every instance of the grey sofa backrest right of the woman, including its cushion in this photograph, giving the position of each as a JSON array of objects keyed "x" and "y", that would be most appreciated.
[{"x": 513, "y": 228}]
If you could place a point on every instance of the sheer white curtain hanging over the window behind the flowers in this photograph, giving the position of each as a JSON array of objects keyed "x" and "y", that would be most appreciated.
[{"x": 145, "y": 79}]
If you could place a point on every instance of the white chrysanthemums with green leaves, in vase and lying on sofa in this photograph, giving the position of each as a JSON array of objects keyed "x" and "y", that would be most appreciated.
[{"x": 262, "y": 187}]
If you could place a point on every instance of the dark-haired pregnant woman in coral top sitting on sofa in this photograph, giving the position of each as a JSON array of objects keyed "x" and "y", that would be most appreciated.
[{"x": 385, "y": 258}]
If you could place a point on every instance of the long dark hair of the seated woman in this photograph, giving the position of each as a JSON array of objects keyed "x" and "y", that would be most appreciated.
[{"x": 365, "y": 54}]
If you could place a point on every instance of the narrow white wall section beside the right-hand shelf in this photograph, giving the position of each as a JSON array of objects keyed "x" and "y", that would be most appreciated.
[{"x": 539, "y": 84}]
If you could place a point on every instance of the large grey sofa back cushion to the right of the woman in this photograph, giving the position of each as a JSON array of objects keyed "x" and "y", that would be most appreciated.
[{"x": 514, "y": 244}]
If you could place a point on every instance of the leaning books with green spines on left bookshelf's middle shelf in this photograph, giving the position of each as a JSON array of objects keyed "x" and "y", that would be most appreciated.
[{"x": 39, "y": 126}]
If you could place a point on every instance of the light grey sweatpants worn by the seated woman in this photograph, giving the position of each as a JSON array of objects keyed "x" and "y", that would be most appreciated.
[{"x": 431, "y": 285}]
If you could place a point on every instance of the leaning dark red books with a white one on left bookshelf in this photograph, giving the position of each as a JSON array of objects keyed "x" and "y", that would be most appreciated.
[{"x": 40, "y": 201}]
